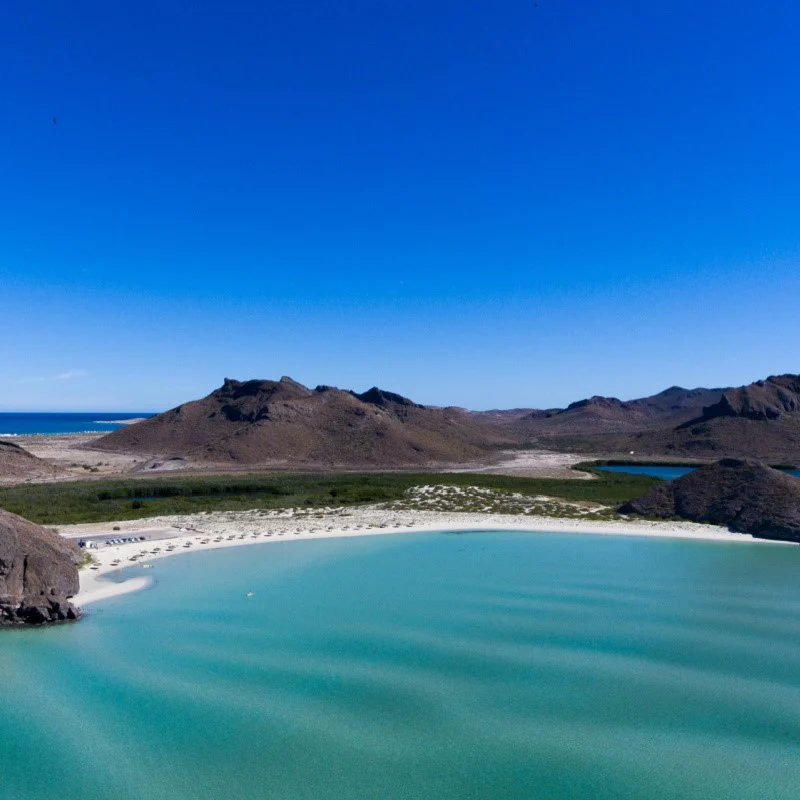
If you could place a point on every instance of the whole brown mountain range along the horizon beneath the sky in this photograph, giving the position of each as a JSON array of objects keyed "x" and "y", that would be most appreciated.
[{"x": 285, "y": 424}]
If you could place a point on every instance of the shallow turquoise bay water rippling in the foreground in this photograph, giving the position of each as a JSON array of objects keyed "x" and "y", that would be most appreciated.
[{"x": 477, "y": 666}]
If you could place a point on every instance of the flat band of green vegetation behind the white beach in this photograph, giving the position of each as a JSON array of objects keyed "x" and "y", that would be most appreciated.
[{"x": 106, "y": 500}]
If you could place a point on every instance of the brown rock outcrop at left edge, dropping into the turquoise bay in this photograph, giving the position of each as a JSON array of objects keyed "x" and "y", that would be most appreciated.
[{"x": 38, "y": 573}]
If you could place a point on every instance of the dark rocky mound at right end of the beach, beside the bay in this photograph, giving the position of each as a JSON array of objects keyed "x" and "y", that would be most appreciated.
[{"x": 746, "y": 495}]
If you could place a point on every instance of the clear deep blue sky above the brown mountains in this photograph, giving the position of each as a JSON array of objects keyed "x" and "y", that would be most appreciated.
[{"x": 488, "y": 205}]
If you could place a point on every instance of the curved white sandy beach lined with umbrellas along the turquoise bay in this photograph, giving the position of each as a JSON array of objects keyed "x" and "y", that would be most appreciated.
[{"x": 212, "y": 531}]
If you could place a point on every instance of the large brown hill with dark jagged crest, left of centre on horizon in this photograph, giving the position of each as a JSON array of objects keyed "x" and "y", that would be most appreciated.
[{"x": 283, "y": 424}]
